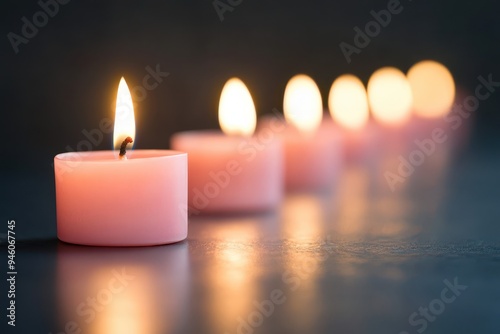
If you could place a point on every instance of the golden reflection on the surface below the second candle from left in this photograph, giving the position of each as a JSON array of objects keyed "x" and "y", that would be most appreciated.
[{"x": 232, "y": 274}]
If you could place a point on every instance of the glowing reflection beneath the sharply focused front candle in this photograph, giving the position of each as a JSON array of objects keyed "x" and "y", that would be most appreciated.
[{"x": 122, "y": 290}]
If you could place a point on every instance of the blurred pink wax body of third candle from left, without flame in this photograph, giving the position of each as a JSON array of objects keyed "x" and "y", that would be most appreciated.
[{"x": 312, "y": 161}]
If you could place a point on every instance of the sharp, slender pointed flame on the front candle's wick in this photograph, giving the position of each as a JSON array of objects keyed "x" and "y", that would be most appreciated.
[{"x": 124, "y": 115}]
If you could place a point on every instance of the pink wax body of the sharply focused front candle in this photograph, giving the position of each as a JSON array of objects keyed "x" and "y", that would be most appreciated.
[{"x": 104, "y": 201}]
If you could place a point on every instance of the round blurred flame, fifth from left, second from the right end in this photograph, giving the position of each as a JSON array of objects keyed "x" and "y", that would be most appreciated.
[{"x": 389, "y": 96}]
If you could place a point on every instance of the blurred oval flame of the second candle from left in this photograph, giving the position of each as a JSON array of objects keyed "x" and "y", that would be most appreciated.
[{"x": 236, "y": 109}]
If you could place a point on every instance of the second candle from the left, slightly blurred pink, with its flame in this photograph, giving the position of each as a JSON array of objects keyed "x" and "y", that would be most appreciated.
[{"x": 234, "y": 171}]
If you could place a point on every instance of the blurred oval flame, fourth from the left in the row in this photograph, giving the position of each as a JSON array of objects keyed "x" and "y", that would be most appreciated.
[{"x": 348, "y": 103}]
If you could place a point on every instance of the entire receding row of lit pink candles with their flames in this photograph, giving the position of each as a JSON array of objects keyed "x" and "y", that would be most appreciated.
[{"x": 142, "y": 197}]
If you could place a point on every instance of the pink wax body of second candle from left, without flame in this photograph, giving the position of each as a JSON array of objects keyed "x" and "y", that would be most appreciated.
[{"x": 231, "y": 173}]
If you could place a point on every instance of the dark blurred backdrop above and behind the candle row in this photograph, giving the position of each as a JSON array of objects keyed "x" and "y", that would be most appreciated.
[{"x": 64, "y": 80}]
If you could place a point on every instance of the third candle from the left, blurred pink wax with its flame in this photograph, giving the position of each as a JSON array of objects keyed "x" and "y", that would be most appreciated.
[{"x": 312, "y": 149}]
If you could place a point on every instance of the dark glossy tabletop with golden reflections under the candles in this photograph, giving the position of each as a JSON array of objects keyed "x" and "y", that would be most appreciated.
[{"x": 358, "y": 259}]
